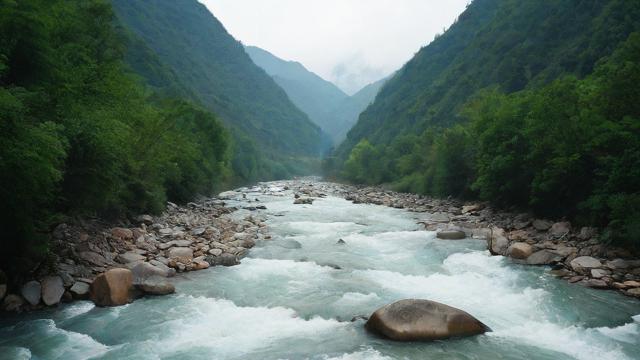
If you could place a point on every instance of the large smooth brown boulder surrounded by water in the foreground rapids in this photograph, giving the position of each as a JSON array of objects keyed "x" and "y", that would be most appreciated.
[{"x": 423, "y": 320}]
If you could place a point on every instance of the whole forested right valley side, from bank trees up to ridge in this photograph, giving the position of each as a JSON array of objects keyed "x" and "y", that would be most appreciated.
[{"x": 525, "y": 104}]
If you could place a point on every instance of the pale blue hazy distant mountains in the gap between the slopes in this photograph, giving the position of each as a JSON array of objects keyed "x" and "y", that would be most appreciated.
[{"x": 327, "y": 106}]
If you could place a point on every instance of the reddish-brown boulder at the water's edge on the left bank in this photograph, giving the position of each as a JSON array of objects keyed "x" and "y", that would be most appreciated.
[{"x": 112, "y": 288}]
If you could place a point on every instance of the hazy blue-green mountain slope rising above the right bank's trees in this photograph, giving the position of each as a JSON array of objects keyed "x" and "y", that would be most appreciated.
[{"x": 511, "y": 44}]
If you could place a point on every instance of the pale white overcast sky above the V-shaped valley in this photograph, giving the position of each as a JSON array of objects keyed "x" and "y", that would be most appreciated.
[{"x": 349, "y": 42}]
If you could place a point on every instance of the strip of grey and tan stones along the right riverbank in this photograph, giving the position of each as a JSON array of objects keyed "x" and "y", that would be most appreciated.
[{"x": 574, "y": 254}]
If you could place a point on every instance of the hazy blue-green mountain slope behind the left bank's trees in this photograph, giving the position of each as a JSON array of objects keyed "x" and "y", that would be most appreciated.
[{"x": 193, "y": 55}]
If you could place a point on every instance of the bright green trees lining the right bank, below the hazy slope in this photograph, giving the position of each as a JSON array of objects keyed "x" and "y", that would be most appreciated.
[{"x": 570, "y": 148}]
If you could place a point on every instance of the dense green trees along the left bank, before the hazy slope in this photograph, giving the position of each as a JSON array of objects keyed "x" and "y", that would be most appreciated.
[{"x": 80, "y": 136}]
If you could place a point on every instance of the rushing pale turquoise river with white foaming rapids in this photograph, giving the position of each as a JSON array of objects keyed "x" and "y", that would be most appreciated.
[{"x": 294, "y": 297}]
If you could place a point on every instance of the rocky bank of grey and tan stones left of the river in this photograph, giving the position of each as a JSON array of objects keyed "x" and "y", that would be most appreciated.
[{"x": 149, "y": 249}]
